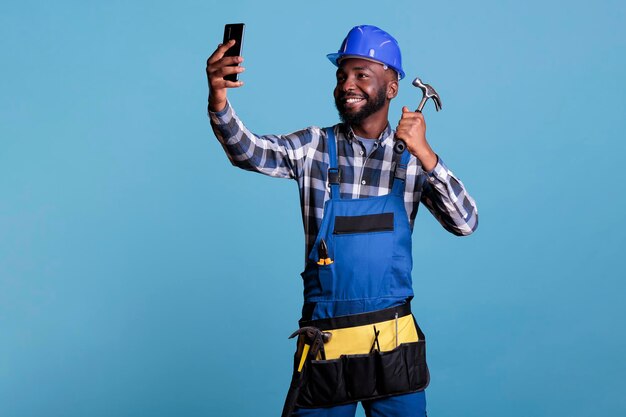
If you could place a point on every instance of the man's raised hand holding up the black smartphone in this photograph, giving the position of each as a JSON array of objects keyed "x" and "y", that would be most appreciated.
[{"x": 217, "y": 67}]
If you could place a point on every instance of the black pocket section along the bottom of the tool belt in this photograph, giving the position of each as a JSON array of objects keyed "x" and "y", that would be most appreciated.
[{"x": 352, "y": 378}]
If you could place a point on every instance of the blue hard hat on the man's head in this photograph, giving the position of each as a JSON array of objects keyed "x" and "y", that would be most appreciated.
[{"x": 370, "y": 42}]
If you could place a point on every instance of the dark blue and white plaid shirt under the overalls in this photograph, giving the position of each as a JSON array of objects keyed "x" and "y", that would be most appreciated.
[{"x": 303, "y": 156}]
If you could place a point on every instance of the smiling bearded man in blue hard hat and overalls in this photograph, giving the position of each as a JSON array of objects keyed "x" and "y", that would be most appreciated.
[{"x": 358, "y": 339}]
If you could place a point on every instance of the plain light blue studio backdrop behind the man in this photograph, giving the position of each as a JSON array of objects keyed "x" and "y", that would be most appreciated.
[{"x": 140, "y": 274}]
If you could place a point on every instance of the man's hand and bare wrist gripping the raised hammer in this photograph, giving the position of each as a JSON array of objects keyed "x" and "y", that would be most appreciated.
[{"x": 412, "y": 129}]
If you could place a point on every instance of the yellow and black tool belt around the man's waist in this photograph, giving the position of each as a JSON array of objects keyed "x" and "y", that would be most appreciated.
[{"x": 368, "y": 356}]
